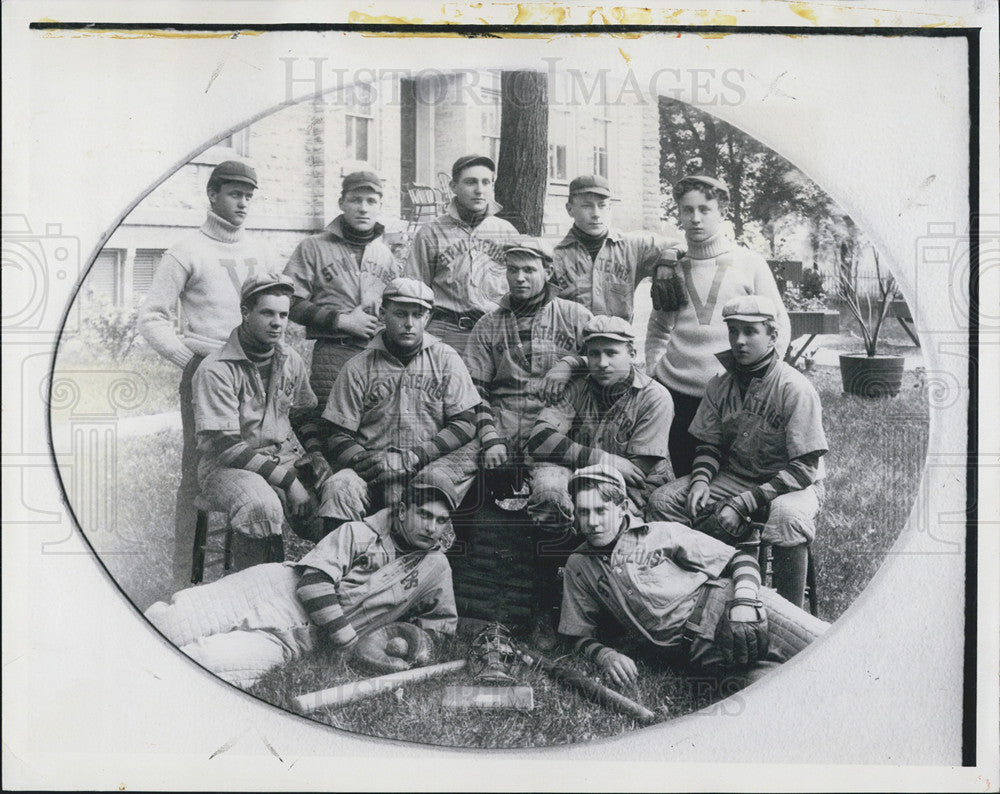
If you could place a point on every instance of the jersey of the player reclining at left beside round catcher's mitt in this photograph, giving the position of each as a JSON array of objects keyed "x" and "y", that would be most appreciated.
[{"x": 359, "y": 554}]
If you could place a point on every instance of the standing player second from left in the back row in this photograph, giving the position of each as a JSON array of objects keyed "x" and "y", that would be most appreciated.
[{"x": 339, "y": 275}]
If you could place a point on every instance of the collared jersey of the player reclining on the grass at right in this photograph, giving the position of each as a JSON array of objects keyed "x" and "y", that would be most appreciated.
[{"x": 650, "y": 581}]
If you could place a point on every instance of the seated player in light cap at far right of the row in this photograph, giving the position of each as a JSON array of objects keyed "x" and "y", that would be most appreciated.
[{"x": 760, "y": 446}]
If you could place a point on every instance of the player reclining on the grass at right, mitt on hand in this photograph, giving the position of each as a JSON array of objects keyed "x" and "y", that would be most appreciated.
[{"x": 698, "y": 601}]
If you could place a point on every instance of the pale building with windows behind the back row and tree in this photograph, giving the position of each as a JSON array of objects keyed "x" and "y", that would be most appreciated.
[{"x": 409, "y": 130}]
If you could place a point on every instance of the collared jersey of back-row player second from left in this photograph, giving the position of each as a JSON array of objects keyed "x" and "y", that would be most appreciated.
[{"x": 326, "y": 272}]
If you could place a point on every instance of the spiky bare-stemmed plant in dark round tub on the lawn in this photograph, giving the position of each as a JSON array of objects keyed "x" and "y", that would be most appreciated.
[{"x": 869, "y": 374}]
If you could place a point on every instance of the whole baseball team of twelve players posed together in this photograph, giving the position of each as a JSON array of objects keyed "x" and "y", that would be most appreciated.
[{"x": 493, "y": 363}]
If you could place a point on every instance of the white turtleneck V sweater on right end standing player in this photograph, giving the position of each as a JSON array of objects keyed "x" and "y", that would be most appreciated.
[{"x": 681, "y": 345}]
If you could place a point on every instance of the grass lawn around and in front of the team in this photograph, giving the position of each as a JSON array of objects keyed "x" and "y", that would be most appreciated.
[{"x": 877, "y": 451}]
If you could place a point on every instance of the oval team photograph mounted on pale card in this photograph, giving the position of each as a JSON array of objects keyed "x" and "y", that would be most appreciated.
[{"x": 475, "y": 409}]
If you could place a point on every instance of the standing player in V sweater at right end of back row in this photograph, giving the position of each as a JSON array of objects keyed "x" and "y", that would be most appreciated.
[{"x": 684, "y": 335}]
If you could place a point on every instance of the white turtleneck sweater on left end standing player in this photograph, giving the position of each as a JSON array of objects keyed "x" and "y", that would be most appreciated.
[{"x": 204, "y": 271}]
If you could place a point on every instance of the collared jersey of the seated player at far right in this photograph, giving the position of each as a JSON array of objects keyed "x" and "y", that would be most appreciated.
[{"x": 779, "y": 419}]
